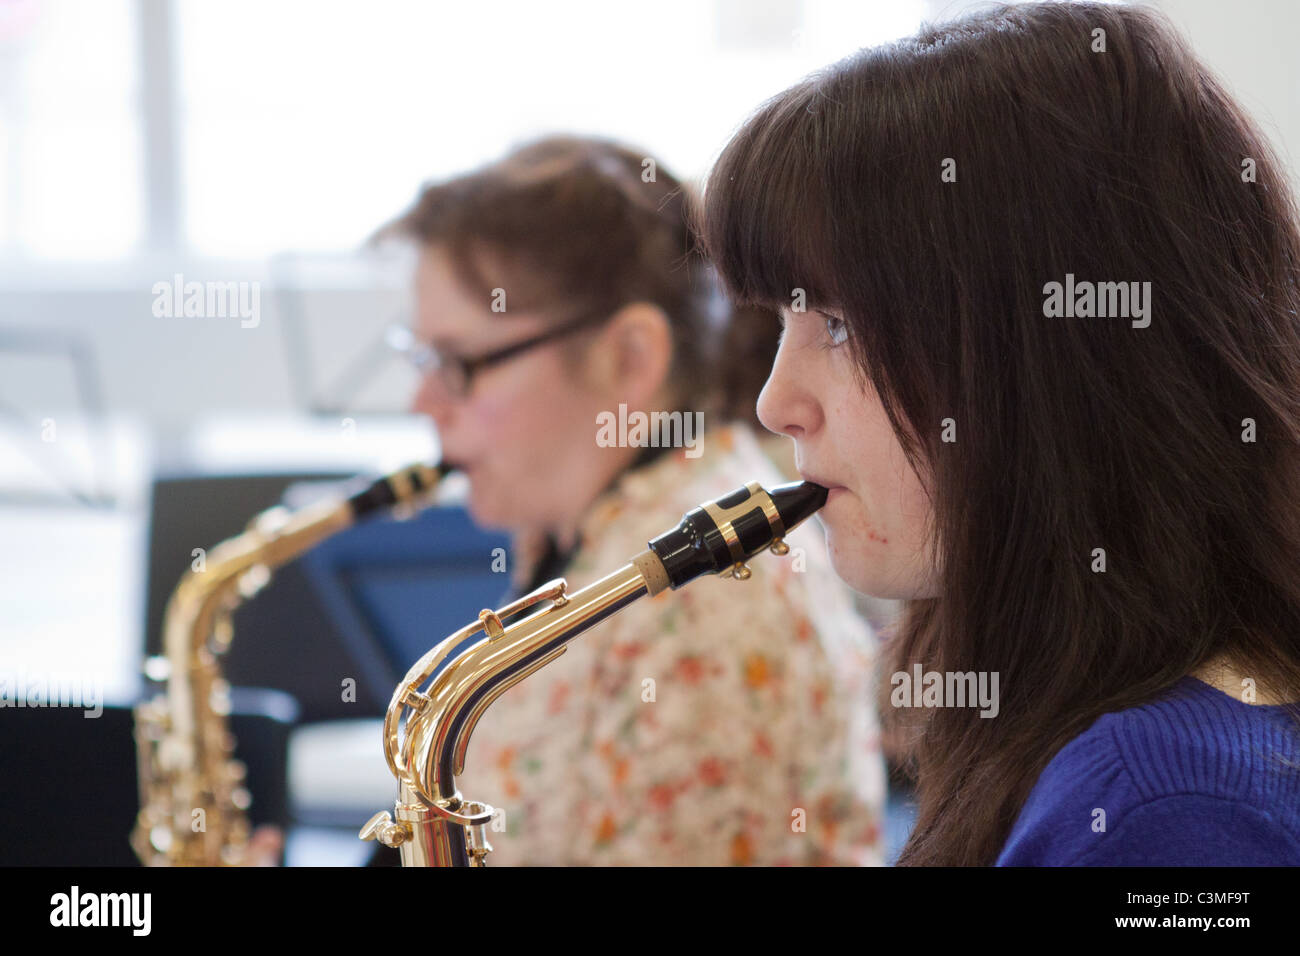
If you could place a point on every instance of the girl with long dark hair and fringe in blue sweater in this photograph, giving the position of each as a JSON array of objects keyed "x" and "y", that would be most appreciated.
[{"x": 1050, "y": 369}]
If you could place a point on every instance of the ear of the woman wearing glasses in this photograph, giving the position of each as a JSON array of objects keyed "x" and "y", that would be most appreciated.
[{"x": 634, "y": 354}]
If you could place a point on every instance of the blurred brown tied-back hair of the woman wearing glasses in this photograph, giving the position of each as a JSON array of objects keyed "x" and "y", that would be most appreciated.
[{"x": 575, "y": 226}]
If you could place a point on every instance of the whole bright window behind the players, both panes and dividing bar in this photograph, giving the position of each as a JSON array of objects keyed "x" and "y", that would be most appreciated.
[{"x": 244, "y": 128}]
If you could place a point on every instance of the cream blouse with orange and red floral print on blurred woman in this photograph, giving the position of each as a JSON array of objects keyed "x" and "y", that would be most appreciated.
[{"x": 726, "y": 724}]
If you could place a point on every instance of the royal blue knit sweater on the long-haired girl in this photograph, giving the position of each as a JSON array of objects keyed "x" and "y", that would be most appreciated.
[{"x": 1194, "y": 778}]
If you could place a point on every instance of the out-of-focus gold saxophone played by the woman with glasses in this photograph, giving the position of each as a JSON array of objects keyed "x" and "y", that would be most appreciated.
[{"x": 193, "y": 795}]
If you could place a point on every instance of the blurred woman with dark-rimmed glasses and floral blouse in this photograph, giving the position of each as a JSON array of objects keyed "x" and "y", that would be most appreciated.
[{"x": 560, "y": 299}]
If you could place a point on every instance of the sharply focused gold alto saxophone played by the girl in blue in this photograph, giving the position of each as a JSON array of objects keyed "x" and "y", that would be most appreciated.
[{"x": 437, "y": 706}]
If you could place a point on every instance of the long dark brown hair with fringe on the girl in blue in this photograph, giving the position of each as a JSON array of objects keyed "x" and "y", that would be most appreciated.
[{"x": 1072, "y": 434}]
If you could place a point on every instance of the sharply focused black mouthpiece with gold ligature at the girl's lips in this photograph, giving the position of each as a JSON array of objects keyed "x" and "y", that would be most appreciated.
[{"x": 716, "y": 537}]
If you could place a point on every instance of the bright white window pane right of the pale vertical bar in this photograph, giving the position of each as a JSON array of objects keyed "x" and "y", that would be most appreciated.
[{"x": 307, "y": 126}]
